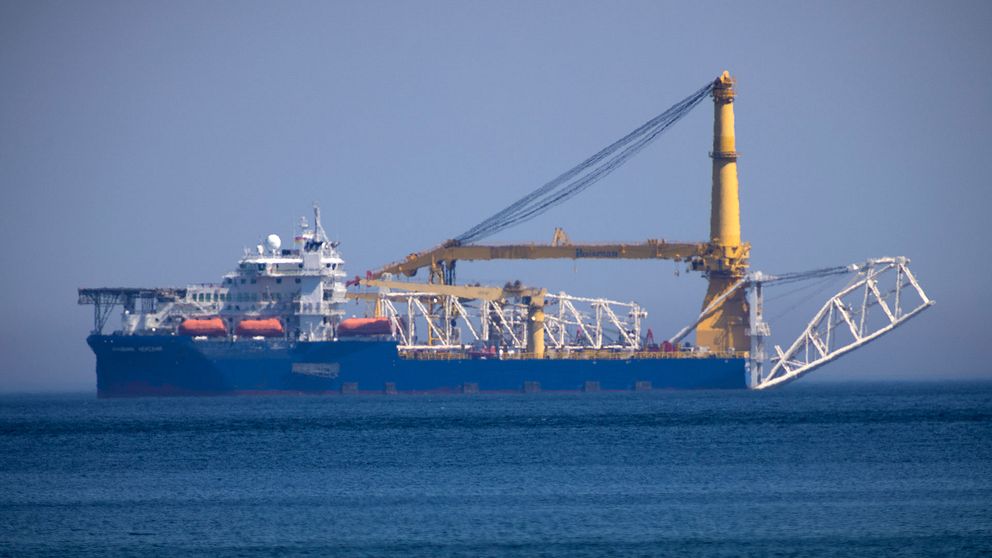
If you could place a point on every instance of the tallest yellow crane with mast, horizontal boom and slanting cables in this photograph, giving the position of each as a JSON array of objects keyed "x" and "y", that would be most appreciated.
[{"x": 723, "y": 259}]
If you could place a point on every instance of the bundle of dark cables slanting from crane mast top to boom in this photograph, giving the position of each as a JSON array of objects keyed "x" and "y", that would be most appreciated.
[{"x": 585, "y": 174}]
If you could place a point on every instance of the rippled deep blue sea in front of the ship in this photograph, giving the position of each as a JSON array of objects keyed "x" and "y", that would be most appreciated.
[{"x": 895, "y": 470}]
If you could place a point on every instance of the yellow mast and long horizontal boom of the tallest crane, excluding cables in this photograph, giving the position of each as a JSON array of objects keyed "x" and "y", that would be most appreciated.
[{"x": 723, "y": 259}]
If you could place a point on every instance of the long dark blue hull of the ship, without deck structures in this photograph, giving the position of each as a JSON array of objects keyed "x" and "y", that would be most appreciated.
[{"x": 175, "y": 365}]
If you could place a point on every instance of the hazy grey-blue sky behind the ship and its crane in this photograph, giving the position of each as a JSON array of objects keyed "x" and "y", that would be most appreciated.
[{"x": 146, "y": 144}]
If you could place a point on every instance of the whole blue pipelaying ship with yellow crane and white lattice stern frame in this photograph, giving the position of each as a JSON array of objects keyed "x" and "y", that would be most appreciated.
[{"x": 277, "y": 323}]
